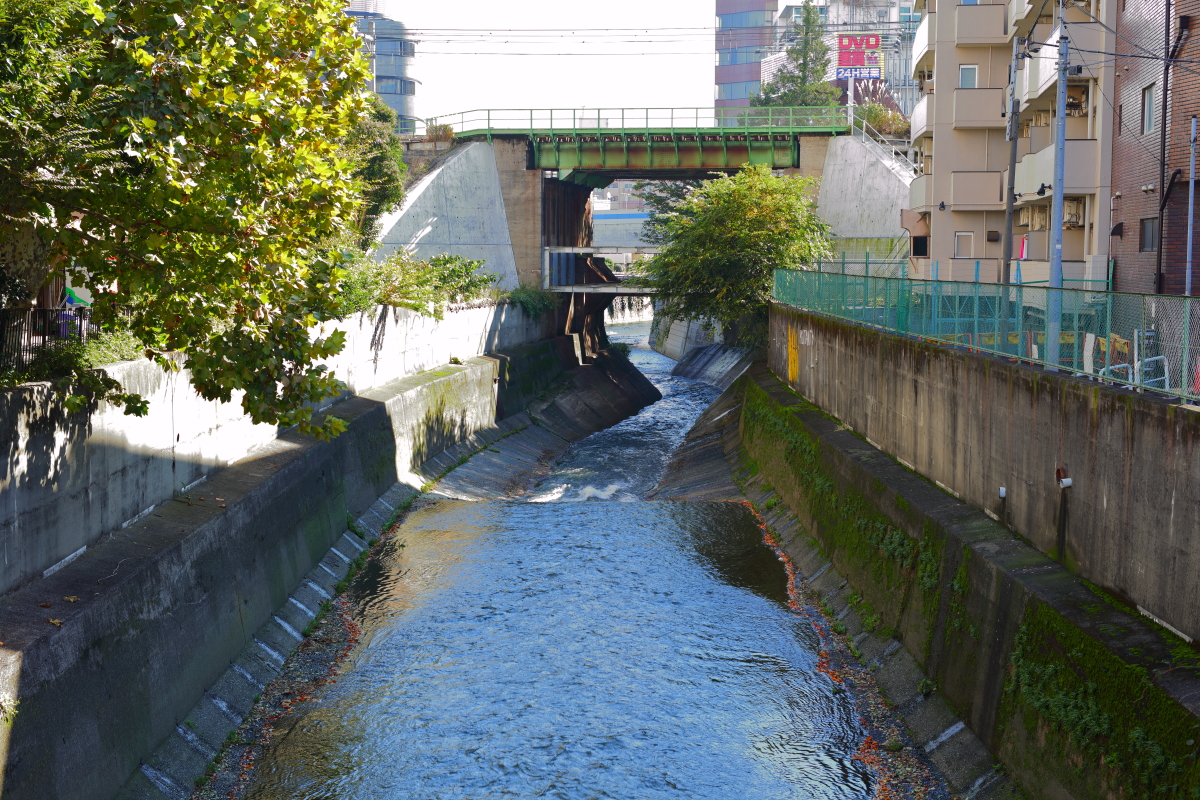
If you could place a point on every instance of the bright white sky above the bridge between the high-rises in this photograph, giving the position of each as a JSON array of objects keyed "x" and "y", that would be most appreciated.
[{"x": 459, "y": 68}]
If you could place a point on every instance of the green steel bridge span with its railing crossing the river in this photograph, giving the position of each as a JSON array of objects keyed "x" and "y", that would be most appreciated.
[{"x": 596, "y": 147}]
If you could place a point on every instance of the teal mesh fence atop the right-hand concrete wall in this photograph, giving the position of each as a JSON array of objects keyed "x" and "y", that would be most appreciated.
[{"x": 1142, "y": 341}]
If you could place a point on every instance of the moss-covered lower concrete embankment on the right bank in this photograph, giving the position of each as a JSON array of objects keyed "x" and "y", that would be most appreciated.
[{"x": 991, "y": 651}]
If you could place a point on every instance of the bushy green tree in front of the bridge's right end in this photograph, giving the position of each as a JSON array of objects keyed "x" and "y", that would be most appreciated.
[{"x": 725, "y": 243}]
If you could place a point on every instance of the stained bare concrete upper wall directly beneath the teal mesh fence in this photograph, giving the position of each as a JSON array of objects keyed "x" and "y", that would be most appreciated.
[{"x": 975, "y": 424}]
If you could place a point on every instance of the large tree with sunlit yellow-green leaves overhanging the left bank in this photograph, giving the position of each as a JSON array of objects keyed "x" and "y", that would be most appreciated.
[{"x": 203, "y": 231}]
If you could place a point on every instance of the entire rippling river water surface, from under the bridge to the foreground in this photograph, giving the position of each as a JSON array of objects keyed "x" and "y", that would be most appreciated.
[{"x": 581, "y": 642}]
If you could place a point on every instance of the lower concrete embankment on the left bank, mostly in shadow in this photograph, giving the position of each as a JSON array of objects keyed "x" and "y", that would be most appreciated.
[{"x": 185, "y": 613}]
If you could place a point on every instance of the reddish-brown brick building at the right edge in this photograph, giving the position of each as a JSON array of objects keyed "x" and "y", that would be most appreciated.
[{"x": 1136, "y": 154}]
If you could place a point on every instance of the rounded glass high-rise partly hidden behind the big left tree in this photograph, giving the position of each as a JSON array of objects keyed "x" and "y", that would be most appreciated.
[{"x": 391, "y": 51}]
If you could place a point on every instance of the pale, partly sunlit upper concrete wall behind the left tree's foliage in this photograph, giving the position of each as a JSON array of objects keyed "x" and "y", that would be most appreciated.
[{"x": 67, "y": 482}]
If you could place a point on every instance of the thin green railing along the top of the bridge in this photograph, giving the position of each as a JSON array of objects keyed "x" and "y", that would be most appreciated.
[{"x": 643, "y": 119}]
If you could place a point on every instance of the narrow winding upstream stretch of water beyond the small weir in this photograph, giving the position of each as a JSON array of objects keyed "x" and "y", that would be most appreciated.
[{"x": 627, "y": 461}]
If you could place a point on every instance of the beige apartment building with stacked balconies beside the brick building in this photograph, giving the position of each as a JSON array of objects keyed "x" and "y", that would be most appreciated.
[{"x": 962, "y": 58}]
